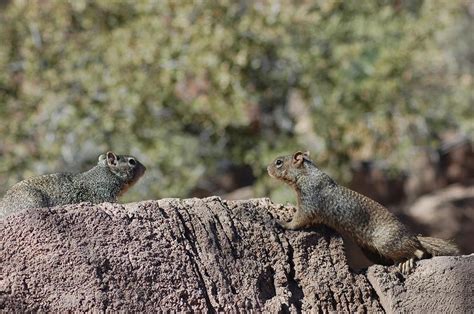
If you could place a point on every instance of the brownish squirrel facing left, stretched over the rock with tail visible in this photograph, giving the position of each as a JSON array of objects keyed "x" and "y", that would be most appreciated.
[{"x": 380, "y": 235}]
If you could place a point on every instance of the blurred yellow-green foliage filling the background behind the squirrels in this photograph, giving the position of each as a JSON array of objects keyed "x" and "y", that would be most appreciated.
[{"x": 187, "y": 86}]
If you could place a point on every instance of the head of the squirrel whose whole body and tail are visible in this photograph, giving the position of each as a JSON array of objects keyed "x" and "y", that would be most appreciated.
[{"x": 288, "y": 168}]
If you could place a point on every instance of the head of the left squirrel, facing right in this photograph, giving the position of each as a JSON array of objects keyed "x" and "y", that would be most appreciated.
[{"x": 125, "y": 167}]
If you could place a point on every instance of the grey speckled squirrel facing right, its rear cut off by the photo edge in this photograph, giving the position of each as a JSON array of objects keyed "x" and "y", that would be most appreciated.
[{"x": 111, "y": 177}]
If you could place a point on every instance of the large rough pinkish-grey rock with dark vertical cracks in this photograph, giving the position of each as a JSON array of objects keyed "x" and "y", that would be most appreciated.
[{"x": 193, "y": 254}]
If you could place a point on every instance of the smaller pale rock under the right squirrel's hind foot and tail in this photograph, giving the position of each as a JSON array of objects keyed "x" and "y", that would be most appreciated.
[{"x": 439, "y": 285}]
